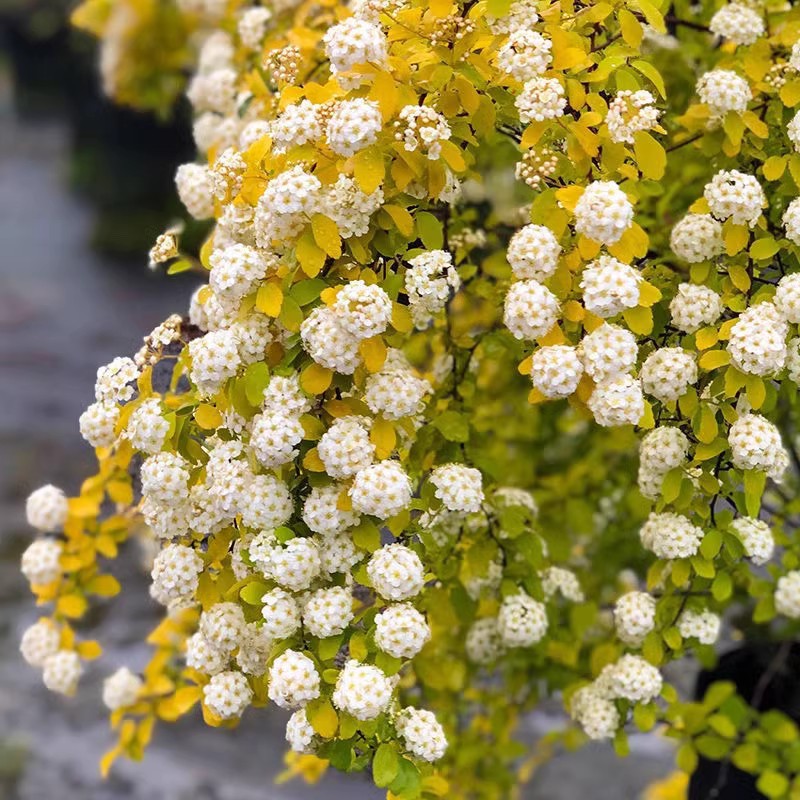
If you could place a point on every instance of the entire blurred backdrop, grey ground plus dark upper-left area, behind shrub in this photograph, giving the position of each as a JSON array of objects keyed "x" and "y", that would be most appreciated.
[{"x": 85, "y": 187}]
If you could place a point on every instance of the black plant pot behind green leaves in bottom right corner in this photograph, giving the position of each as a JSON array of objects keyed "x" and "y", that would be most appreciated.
[{"x": 767, "y": 676}]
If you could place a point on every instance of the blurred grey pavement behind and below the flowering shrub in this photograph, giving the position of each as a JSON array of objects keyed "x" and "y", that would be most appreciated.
[{"x": 63, "y": 312}]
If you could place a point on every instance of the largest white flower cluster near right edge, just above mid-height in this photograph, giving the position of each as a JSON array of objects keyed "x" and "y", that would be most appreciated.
[{"x": 757, "y": 342}]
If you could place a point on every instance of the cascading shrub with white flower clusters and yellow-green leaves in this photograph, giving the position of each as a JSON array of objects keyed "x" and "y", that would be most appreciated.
[{"x": 473, "y": 265}]
